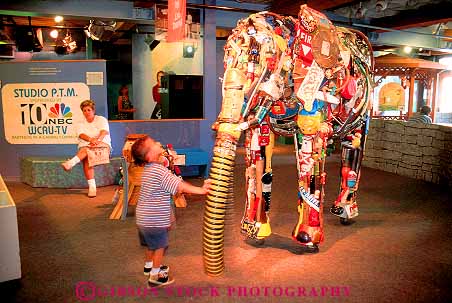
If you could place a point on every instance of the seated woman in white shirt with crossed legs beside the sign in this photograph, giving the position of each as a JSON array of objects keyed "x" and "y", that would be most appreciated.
[{"x": 93, "y": 131}]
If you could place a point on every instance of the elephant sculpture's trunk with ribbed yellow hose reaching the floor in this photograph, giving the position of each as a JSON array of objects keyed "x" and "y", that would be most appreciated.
[{"x": 220, "y": 197}]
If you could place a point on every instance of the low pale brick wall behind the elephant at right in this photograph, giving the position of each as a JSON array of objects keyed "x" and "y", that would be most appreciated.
[{"x": 421, "y": 151}]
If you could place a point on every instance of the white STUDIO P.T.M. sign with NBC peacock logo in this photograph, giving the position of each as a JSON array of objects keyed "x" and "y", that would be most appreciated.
[{"x": 42, "y": 113}]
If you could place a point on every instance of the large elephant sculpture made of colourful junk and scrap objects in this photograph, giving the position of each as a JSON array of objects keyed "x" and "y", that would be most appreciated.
[{"x": 294, "y": 77}]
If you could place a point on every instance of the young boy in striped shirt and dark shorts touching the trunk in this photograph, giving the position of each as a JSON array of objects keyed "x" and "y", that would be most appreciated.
[{"x": 153, "y": 209}]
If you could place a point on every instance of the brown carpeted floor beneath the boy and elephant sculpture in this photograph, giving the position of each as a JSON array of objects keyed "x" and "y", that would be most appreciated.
[{"x": 398, "y": 250}]
